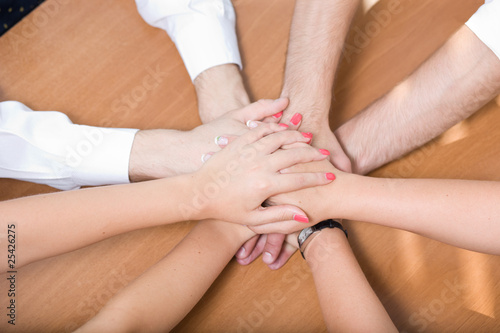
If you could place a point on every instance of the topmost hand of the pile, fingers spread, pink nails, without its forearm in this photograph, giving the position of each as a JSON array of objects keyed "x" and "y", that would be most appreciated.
[{"x": 233, "y": 184}]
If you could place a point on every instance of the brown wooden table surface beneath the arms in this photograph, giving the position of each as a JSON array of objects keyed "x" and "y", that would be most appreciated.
[{"x": 85, "y": 58}]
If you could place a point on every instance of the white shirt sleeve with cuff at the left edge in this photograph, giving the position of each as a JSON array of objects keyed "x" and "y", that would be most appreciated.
[{"x": 45, "y": 147}]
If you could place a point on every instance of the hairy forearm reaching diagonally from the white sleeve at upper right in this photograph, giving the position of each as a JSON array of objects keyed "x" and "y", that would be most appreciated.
[{"x": 456, "y": 81}]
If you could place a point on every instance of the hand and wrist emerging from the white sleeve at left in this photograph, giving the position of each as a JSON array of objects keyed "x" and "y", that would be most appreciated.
[{"x": 164, "y": 153}]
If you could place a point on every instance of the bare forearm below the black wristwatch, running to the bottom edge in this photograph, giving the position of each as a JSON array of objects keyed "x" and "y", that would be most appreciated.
[{"x": 347, "y": 301}]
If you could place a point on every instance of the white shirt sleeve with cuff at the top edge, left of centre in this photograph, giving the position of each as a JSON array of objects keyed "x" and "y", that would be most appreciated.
[{"x": 203, "y": 30}]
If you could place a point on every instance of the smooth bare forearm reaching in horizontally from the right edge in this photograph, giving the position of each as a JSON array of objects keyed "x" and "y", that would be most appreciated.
[{"x": 458, "y": 212}]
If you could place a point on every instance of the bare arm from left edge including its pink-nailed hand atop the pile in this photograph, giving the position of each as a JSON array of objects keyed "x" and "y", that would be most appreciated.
[{"x": 54, "y": 223}]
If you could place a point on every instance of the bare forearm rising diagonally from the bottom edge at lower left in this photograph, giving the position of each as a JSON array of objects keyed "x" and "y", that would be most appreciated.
[{"x": 164, "y": 294}]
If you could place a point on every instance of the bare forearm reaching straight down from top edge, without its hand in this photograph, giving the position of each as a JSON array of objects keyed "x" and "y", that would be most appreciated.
[{"x": 316, "y": 40}]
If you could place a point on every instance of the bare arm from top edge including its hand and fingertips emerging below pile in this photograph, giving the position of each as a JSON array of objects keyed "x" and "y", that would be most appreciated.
[{"x": 316, "y": 40}]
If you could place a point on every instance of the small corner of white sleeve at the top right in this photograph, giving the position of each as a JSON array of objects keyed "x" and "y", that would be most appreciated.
[{"x": 485, "y": 23}]
